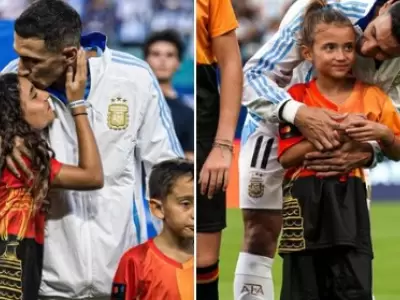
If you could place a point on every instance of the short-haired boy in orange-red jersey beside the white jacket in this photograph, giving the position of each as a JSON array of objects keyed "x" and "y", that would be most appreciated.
[{"x": 162, "y": 268}]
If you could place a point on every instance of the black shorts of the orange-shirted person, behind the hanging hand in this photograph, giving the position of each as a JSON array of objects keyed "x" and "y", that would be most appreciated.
[{"x": 211, "y": 213}]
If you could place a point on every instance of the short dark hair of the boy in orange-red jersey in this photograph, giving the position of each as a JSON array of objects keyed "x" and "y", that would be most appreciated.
[{"x": 165, "y": 174}]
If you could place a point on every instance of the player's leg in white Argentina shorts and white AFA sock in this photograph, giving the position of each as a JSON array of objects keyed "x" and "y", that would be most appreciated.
[{"x": 260, "y": 187}]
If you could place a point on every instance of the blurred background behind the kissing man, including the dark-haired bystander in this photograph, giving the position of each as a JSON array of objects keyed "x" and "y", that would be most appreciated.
[{"x": 134, "y": 26}]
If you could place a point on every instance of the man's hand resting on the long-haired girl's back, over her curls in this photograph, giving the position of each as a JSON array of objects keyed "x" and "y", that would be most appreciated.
[{"x": 15, "y": 162}]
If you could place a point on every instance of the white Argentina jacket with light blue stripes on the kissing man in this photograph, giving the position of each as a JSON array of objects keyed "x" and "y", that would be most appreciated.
[{"x": 87, "y": 232}]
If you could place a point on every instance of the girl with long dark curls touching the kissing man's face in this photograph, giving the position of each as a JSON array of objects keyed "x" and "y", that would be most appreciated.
[{"x": 25, "y": 113}]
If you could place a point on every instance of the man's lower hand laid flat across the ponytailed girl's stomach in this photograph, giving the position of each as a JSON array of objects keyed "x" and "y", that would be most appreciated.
[{"x": 350, "y": 155}]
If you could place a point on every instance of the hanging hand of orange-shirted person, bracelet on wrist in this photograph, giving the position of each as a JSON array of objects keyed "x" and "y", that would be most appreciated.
[{"x": 215, "y": 172}]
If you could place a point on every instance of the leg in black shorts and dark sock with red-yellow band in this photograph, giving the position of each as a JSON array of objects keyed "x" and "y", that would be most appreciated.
[{"x": 210, "y": 221}]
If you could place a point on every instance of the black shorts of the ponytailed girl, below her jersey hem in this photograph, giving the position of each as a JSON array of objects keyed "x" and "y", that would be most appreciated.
[{"x": 330, "y": 274}]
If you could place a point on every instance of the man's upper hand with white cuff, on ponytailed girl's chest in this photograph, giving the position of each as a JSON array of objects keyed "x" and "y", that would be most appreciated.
[{"x": 319, "y": 126}]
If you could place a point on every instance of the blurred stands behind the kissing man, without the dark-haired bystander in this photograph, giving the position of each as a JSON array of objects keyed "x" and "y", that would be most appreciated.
[{"x": 128, "y": 23}]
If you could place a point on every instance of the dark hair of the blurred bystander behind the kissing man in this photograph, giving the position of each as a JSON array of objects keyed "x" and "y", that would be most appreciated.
[{"x": 168, "y": 35}]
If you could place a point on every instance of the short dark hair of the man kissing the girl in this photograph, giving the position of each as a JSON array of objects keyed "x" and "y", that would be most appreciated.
[{"x": 53, "y": 21}]
